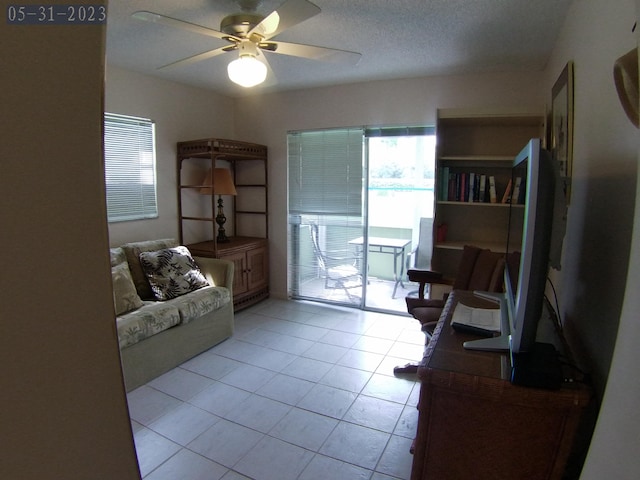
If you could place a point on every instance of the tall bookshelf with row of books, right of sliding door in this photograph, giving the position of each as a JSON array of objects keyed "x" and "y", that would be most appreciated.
[{"x": 474, "y": 147}]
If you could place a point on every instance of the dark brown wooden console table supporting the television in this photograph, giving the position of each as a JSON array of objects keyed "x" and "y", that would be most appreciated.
[{"x": 473, "y": 423}]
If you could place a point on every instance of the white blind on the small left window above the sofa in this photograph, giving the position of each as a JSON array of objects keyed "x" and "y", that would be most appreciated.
[{"x": 130, "y": 168}]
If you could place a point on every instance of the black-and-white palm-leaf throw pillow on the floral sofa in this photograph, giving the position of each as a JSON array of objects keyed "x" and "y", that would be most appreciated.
[{"x": 172, "y": 272}]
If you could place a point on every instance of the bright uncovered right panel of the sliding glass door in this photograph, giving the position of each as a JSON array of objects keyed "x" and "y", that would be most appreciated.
[{"x": 400, "y": 194}]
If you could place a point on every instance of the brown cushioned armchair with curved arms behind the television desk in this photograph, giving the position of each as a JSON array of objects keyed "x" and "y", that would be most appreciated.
[{"x": 479, "y": 269}]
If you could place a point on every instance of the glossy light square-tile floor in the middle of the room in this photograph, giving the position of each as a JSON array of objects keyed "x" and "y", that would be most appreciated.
[{"x": 301, "y": 391}]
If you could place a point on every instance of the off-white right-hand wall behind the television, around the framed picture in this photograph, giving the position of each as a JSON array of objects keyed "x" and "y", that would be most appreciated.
[{"x": 597, "y": 244}]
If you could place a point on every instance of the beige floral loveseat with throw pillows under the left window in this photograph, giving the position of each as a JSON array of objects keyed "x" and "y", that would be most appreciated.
[{"x": 156, "y": 335}]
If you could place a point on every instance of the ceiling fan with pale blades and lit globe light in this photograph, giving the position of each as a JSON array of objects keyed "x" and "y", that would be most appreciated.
[{"x": 250, "y": 34}]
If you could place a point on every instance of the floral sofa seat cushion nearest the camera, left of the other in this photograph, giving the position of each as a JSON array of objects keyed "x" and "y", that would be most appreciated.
[{"x": 152, "y": 318}]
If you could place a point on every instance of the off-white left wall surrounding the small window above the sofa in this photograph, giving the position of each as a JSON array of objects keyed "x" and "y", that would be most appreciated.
[{"x": 181, "y": 113}]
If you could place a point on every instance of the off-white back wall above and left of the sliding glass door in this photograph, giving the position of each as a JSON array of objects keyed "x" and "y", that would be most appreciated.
[{"x": 267, "y": 118}]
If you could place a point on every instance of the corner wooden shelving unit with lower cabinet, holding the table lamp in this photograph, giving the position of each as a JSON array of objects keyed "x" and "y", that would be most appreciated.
[{"x": 247, "y": 213}]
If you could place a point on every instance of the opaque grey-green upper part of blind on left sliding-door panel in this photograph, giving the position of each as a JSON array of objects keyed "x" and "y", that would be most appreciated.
[{"x": 325, "y": 172}]
